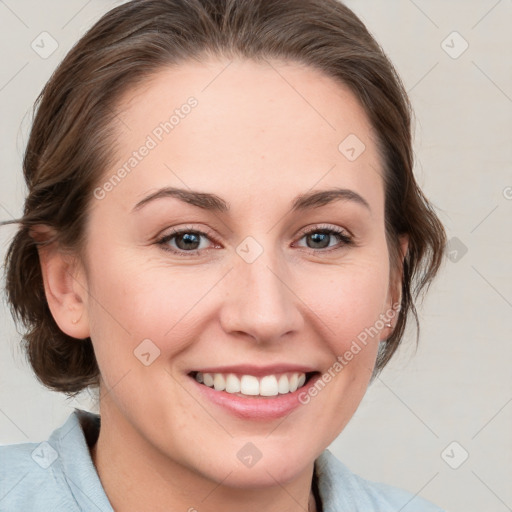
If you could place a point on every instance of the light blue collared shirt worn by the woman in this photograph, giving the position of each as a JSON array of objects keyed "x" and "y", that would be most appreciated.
[{"x": 58, "y": 475}]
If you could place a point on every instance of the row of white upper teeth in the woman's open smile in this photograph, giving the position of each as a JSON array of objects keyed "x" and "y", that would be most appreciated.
[{"x": 269, "y": 385}]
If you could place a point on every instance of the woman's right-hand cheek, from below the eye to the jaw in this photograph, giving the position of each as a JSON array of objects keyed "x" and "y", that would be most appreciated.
[{"x": 347, "y": 304}]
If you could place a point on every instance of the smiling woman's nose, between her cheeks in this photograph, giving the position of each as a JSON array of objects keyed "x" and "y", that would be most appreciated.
[{"x": 259, "y": 300}]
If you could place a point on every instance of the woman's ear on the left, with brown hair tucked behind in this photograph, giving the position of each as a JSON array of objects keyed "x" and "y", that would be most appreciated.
[{"x": 64, "y": 282}]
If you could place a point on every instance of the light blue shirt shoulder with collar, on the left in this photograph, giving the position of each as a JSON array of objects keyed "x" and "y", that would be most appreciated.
[{"x": 48, "y": 475}]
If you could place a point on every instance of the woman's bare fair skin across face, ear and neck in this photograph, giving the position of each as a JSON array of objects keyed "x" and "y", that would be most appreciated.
[{"x": 161, "y": 445}]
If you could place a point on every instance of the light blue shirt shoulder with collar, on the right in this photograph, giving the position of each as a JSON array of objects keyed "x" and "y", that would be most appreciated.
[{"x": 339, "y": 487}]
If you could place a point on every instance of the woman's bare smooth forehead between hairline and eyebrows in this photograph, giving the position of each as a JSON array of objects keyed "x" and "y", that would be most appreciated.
[{"x": 242, "y": 128}]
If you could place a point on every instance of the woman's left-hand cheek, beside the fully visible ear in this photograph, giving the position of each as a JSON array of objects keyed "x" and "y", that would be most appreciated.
[{"x": 134, "y": 298}]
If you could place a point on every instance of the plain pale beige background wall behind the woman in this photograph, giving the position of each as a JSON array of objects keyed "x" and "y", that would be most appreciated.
[{"x": 457, "y": 387}]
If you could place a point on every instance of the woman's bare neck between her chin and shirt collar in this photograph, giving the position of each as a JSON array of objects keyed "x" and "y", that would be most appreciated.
[{"x": 137, "y": 476}]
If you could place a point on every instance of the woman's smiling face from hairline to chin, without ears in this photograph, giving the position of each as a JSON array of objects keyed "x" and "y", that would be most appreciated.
[{"x": 255, "y": 291}]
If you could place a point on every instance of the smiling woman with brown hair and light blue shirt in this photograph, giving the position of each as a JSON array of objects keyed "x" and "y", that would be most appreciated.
[{"x": 224, "y": 237}]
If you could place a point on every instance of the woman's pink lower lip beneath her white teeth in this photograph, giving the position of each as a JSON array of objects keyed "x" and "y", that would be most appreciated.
[{"x": 256, "y": 408}]
